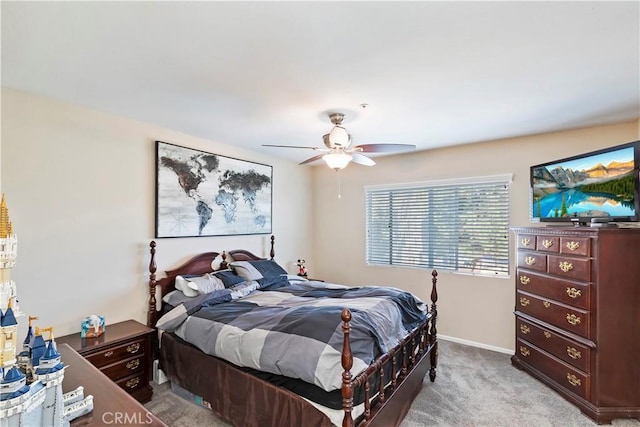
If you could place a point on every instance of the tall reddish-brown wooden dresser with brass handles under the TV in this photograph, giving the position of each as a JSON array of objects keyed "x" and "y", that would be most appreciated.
[{"x": 577, "y": 312}]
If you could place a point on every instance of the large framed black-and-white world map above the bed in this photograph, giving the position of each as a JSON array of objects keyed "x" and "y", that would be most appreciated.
[{"x": 205, "y": 194}]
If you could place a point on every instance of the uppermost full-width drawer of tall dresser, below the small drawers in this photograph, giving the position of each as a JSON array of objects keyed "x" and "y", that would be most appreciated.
[{"x": 571, "y": 293}]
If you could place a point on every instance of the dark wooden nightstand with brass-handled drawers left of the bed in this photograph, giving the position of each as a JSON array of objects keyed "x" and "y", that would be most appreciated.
[{"x": 123, "y": 353}]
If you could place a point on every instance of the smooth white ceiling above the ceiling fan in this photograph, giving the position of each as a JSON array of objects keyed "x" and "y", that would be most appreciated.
[{"x": 252, "y": 73}]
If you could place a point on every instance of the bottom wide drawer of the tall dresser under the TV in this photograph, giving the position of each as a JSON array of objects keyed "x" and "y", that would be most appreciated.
[{"x": 570, "y": 378}]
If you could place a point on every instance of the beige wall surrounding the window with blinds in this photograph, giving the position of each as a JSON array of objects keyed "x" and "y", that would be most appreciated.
[{"x": 473, "y": 308}]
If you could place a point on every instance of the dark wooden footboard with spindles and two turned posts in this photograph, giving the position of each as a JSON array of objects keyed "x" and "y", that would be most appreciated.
[{"x": 392, "y": 399}]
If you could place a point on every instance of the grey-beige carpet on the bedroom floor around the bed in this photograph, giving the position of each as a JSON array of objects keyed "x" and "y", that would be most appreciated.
[{"x": 473, "y": 387}]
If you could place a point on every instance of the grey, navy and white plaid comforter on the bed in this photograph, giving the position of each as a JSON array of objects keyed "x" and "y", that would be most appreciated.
[{"x": 296, "y": 330}]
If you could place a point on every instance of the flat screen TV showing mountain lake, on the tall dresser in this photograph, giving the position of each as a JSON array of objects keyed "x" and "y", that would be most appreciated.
[{"x": 603, "y": 184}]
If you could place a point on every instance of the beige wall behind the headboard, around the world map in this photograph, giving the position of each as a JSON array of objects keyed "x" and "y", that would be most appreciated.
[{"x": 80, "y": 189}]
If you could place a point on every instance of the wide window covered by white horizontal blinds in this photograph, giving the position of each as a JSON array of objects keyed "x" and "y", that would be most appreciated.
[{"x": 459, "y": 225}]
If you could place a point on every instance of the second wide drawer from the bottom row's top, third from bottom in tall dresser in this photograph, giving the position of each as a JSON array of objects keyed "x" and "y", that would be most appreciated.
[{"x": 568, "y": 318}]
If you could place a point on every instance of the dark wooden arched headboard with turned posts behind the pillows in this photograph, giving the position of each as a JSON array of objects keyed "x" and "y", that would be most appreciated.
[{"x": 199, "y": 264}]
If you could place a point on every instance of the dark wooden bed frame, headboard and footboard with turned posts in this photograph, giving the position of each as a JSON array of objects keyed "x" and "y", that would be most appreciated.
[{"x": 389, "y": 403}]
